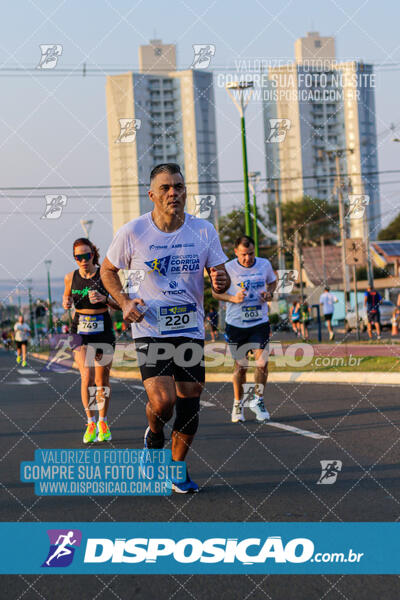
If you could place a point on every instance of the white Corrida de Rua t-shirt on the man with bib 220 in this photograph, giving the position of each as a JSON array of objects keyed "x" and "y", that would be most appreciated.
[{"x": 168, "y": 273}]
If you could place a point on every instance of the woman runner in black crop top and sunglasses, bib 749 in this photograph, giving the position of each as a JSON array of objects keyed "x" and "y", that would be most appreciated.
[{"x": 92, "y": 322}]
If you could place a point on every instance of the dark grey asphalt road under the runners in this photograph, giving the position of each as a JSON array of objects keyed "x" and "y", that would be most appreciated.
[{"x": 247, "y": 472}]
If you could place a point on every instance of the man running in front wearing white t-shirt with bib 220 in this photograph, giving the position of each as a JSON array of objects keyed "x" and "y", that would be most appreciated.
[{"x": 164, "y": 254}]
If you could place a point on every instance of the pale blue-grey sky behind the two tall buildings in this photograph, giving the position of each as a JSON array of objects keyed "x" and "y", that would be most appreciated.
[{"x": 53, "y": 128}]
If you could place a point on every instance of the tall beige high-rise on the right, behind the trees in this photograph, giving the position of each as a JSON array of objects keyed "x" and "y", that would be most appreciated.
[{"x": 321, "y": 104}]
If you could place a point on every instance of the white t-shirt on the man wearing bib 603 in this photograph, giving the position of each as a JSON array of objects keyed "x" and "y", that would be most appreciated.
[{"x": 252, "y": 311}]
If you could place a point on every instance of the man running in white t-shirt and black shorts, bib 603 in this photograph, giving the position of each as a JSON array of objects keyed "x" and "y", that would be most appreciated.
[{"x": 253, "y": 283}]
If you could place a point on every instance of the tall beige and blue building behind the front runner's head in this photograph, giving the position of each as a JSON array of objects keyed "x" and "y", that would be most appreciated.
[{"x": 160, "y": 115}]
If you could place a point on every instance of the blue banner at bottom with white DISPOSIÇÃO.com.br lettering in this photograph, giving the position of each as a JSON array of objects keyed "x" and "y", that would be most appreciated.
[{"x": 200, "y": 548}]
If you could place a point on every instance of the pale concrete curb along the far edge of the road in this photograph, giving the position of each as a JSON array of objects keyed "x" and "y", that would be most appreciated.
[{"x": 371, "y": 377}]
